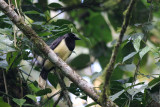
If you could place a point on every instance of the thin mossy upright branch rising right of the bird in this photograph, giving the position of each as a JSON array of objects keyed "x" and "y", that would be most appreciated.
[{"x": 109, "y": 68}]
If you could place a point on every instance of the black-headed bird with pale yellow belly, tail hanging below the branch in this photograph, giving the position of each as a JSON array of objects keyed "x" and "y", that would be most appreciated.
[{"x": 63, "y": 46}]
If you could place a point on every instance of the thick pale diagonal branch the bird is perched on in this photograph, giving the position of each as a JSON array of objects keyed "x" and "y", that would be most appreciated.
[{"x": 48, "y": 53}]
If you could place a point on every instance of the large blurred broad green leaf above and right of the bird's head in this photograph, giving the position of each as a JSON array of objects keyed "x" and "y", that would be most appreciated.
[{"x": 93, "y": 28}]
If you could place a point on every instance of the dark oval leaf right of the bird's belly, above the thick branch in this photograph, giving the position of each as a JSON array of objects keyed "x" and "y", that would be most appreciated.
[{"x": 84, "y": 59}]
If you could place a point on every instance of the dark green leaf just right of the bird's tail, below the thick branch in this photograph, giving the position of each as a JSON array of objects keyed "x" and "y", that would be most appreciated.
[{"x": 53, "y": 79}]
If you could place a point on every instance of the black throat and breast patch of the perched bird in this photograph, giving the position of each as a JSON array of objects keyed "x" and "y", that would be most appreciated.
[{"x": 70, "y": 42}]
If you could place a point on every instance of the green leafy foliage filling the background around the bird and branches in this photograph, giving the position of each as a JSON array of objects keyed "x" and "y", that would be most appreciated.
[{"x": 135, "y": 80}]
